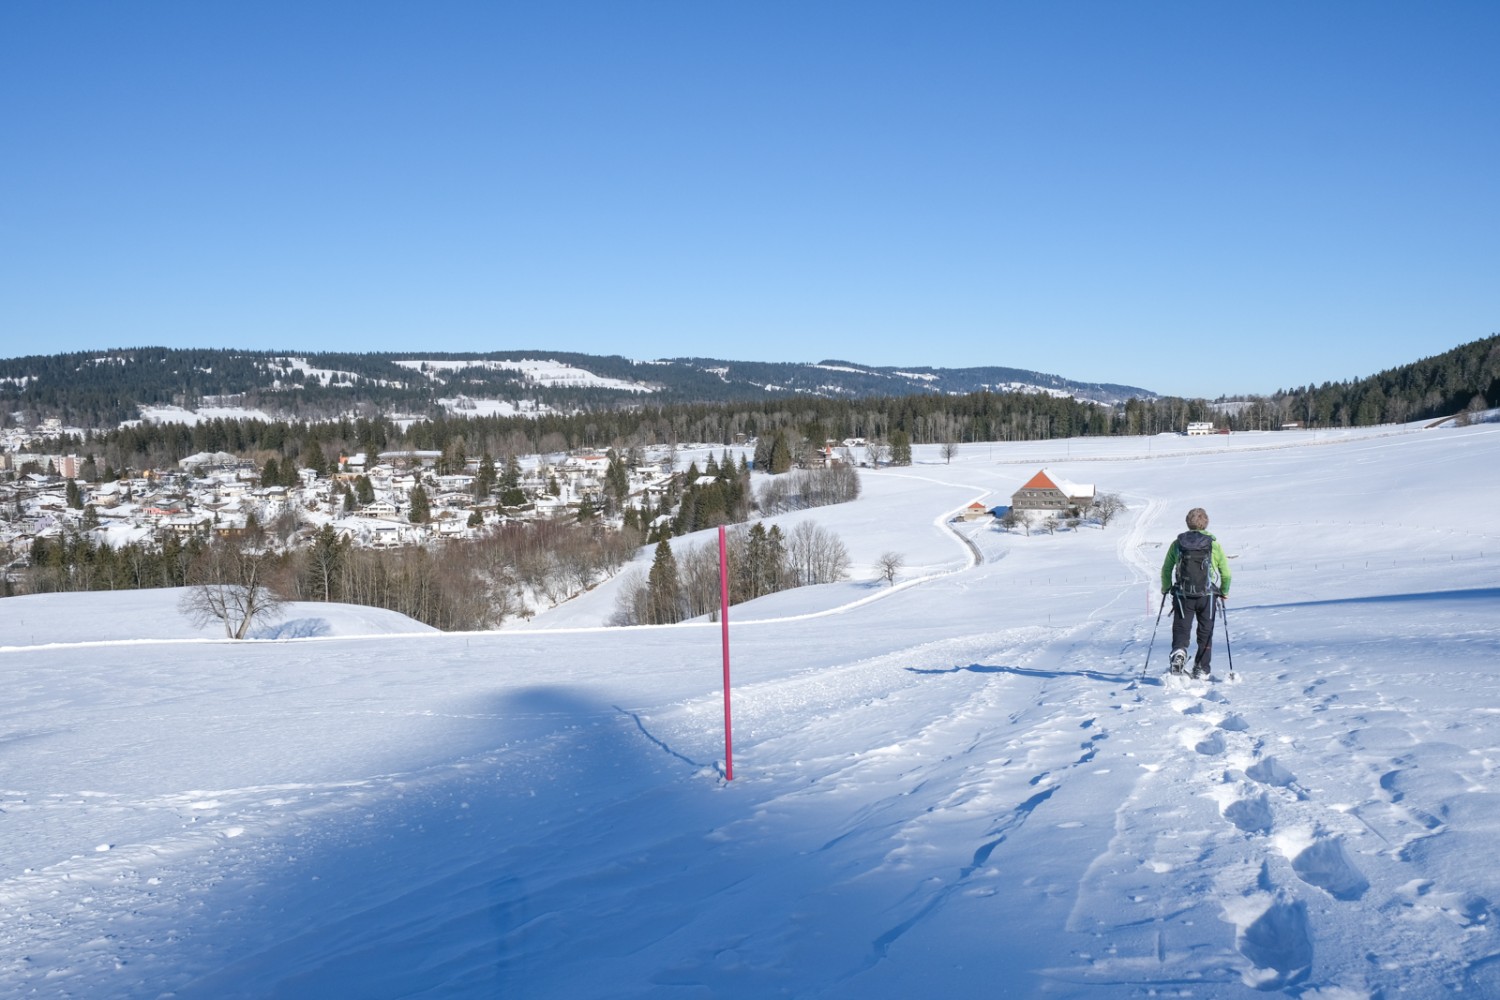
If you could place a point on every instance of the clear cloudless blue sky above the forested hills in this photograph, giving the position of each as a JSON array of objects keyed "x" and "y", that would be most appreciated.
[{"x": 1196, "y": 199}]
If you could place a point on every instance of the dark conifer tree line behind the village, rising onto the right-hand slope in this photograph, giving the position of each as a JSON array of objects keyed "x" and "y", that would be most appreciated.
[{"x": 1465, "y": 379}]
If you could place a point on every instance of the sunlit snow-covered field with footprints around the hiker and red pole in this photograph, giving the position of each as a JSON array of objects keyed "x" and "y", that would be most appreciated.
[{"x": 961, "y": 786}]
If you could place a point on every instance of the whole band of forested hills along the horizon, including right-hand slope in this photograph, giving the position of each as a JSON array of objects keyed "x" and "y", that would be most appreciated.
[{"x": 101, "y": 391}]
